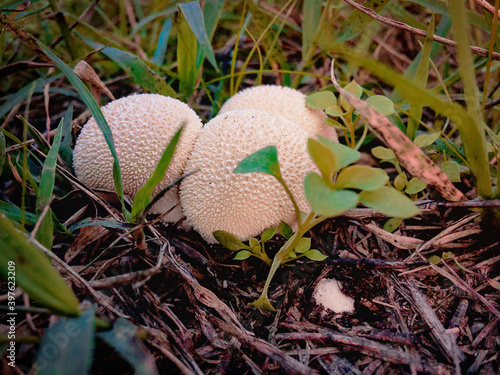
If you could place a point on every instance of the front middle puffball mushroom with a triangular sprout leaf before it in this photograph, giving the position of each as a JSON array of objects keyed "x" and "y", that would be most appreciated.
[{"x": 215, "y": 198}]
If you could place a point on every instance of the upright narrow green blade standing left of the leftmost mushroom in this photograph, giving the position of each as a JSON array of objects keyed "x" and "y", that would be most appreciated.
[{"x": 46, "y": 231}]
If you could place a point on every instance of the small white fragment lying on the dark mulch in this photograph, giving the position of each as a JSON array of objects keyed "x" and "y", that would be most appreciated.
[{"x": 328, "y": 295}]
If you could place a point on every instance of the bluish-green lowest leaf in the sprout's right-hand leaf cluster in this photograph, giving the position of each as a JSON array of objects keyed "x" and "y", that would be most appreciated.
[{"x": 325, "y": 201}]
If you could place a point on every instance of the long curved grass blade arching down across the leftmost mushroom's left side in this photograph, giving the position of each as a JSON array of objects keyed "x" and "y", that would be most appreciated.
[{"x": 94, "y": 108}]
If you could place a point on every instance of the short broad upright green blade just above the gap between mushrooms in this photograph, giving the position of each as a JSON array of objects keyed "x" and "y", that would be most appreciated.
[{"x": 186, "y": 56}]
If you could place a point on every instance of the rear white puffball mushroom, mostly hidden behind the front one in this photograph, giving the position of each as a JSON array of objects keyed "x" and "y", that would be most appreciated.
[{"x": 283, "y": 101}]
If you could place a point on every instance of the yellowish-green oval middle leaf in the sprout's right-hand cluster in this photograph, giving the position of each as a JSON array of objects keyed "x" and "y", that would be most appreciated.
[{"x": 361, "y": 177}]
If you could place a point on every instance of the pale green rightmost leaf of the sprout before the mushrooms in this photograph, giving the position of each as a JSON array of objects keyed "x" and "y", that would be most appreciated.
[{"x": 389, "y": 202}]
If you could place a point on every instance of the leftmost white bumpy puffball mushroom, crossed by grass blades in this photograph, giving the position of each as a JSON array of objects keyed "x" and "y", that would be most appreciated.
[{"x": 142, "y": 127}]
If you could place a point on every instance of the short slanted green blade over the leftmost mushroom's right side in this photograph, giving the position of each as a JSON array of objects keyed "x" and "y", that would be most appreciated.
[{"x": 143, "y": 196}]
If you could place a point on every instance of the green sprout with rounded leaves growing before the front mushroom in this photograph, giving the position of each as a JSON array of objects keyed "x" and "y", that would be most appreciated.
[{"x": 340, "y": 187}]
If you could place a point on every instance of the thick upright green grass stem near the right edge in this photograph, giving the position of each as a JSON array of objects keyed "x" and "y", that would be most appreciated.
[{"x": 476, "y": 146}]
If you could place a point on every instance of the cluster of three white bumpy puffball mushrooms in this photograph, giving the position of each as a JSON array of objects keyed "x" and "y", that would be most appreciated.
[{"x": 213, "y": 198}]
